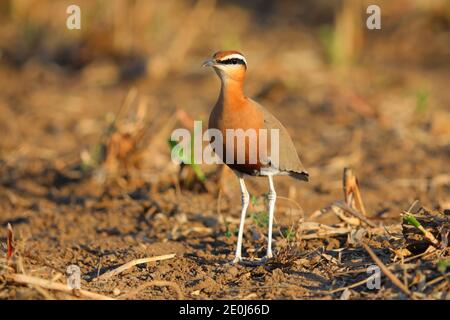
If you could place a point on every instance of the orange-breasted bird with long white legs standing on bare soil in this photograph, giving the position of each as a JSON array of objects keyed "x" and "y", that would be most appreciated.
[{"x": 233, "y": 110}]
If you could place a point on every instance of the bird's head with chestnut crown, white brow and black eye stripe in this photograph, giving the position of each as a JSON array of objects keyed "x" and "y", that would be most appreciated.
[{"x": 228, "y": 65}]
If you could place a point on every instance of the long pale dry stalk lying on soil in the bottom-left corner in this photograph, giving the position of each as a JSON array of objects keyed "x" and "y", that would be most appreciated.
[{"x": 48, "y": 284}]
